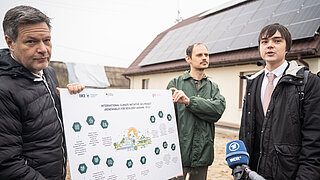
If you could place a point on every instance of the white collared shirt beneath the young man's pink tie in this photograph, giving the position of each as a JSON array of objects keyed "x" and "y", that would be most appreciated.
[{"x": 278, "y": 72}]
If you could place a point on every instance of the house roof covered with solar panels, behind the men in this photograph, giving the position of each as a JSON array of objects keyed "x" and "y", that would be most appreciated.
[{"x": 231, "y": 33}]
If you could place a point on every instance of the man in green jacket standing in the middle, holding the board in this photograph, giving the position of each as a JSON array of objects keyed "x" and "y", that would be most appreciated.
[{"x": 198, "y": 105}]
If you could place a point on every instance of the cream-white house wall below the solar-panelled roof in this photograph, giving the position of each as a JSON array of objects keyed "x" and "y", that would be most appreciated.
[{"x": 227, "y": 79}]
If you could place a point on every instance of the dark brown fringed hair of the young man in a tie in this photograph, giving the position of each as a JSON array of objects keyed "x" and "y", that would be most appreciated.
[{"x": 271, "y": 29}]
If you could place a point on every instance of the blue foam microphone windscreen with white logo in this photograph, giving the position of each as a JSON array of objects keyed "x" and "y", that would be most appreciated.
[{"x": 236, "y": 153}]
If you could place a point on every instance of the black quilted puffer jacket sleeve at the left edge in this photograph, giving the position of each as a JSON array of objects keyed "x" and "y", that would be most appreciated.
[{"x": 12, "y": 163}]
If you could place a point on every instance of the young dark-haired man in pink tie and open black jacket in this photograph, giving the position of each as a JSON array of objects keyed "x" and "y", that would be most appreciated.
[{"x": 280, "y": 126}]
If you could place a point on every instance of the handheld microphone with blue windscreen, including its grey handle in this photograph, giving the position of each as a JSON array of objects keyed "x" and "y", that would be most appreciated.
[{"x": 237, "y": 158}]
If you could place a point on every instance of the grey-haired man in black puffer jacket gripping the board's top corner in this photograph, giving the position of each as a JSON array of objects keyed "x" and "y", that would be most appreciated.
[{"x": 32, "y": 142}]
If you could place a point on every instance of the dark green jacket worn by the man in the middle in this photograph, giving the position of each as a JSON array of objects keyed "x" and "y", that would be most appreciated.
[{"x": 196, "y": 121}]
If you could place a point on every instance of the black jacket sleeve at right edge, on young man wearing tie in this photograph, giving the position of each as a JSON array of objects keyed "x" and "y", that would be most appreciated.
[{"x": 309, "y": 159}]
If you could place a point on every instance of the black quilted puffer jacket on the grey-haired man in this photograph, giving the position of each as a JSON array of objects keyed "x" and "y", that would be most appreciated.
[{"x": 31, "y": 131}]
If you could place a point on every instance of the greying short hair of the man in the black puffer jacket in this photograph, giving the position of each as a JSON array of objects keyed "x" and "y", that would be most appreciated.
[{"x": 21, "y": 15}]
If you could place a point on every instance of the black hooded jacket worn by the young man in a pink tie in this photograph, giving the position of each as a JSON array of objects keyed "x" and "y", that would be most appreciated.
[{"x": 289, "y": 147}]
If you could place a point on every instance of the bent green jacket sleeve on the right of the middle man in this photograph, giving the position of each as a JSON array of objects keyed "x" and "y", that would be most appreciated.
[{"x": 209, "y": 110}]
